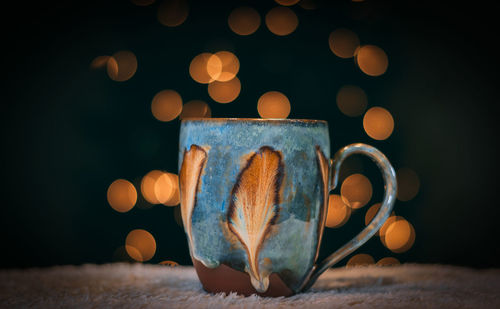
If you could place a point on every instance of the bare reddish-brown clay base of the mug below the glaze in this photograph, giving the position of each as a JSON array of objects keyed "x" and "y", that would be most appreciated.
[{"x": 224, "y": 279}]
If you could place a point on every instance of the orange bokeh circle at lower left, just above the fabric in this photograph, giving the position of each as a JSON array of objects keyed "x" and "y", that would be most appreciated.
[{"x": 140, "y": 245}]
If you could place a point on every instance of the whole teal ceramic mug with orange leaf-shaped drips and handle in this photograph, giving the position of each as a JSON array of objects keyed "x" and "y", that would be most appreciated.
[{"x": 254, "y": 200}]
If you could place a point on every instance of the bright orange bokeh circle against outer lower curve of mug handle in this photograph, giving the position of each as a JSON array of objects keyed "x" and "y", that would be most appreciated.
[{"x": 400, "y": 236}]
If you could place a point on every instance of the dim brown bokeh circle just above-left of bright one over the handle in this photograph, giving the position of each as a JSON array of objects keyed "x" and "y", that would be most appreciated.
[{"x": 352, "y": 100}]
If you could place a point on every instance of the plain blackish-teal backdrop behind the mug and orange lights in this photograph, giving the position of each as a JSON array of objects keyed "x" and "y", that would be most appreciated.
[{"x": 68, "y": 131}]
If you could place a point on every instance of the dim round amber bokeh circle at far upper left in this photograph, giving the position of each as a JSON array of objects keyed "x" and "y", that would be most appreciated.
[{"x": 122, "y": 65}]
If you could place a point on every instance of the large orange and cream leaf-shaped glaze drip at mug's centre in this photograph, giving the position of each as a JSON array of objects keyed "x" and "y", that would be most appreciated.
[{"x": 254, "y": 207}]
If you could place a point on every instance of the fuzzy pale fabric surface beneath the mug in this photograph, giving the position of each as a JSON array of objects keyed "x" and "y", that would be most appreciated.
[{"x": 155, "y": 286}]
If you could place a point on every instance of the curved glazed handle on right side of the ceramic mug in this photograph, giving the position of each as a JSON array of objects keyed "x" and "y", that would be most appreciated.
[{"x": 387, "y": 204}]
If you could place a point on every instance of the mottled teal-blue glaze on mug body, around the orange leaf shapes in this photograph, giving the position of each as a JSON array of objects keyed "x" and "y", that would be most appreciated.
[{"x": 292, "y": 244}]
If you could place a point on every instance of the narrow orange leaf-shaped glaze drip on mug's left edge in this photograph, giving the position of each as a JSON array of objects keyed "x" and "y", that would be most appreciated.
[{"x": 192, "y": 166}]
